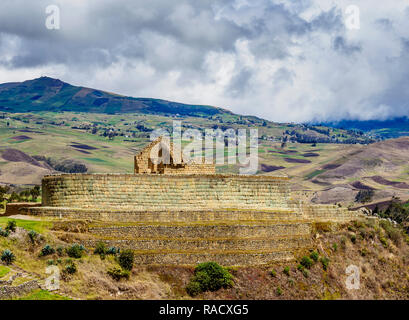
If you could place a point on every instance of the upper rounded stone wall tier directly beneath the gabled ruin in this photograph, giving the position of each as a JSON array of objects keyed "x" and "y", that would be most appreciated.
[{"x": 167, "y": 192}]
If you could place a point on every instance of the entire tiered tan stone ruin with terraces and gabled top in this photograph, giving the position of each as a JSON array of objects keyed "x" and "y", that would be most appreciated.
[{"x": 176, "y": 214}]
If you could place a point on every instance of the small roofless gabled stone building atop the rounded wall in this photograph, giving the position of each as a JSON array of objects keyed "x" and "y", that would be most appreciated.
[{"x": 164, "y": 157}]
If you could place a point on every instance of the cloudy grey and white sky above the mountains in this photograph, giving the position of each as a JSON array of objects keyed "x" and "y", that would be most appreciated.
[{"x": 281, "y": 60}]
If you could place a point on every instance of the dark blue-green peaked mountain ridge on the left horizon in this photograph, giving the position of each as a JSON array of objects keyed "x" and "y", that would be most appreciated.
[{"x": 49, "y": 94}]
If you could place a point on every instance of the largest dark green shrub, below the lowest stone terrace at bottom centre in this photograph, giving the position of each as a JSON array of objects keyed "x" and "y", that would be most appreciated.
[{"x": 209, "y": 276}]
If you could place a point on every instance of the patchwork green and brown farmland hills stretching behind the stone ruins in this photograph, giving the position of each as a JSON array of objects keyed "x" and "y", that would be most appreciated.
[{"x": 327, "y": 172}]
